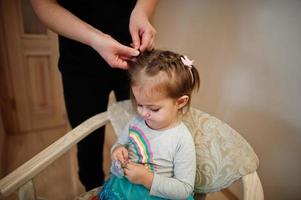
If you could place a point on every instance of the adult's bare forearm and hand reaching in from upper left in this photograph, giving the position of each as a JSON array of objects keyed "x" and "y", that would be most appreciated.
[{"x": 63, "y": 22}]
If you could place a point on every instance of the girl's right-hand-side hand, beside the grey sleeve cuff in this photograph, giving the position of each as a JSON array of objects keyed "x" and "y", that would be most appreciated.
[{"x": 139, "y": 174}]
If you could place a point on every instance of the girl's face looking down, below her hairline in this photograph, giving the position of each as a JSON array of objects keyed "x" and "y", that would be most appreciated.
[{"x": 158, "y": 111}]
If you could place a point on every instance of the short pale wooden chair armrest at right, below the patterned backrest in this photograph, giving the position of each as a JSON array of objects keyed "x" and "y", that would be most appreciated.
[{"x": 252, "y": 188}]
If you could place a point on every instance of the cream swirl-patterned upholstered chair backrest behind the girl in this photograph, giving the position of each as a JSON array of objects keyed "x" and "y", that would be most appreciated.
[{"x": 223, "y": 156}]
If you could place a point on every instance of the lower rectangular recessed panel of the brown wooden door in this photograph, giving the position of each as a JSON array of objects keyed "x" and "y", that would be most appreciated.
[{"x": 42, "y": 96}]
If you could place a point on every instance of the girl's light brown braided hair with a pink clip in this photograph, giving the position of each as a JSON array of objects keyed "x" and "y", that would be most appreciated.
[{"x": 167, "y": 71}]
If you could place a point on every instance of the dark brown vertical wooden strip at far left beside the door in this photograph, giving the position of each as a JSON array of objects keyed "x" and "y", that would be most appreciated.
[{"x": 12, "y": 58}]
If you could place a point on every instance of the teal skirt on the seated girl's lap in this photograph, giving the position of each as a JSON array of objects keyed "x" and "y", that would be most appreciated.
[{"x": 116, "y": 188}]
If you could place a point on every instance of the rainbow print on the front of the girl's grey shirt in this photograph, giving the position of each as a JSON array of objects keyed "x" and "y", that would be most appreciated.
[{"x": 141, "y": 146}]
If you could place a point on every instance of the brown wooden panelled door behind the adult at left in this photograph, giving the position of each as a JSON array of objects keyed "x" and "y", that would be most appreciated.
[{"x": 31, "y": 92}]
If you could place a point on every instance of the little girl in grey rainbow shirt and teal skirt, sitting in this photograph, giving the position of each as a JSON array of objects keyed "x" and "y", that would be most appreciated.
[{"x": 154, "y": 157}]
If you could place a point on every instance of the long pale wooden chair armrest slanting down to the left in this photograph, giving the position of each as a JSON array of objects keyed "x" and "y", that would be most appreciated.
[{"x": 35, "y": 165}]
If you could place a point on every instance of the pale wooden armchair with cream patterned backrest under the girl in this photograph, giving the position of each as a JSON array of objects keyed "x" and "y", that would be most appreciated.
[{"x": 213, "y": 138}]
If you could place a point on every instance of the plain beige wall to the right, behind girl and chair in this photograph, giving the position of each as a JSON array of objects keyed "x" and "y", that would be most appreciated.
[{"x": 249, "y": 56}]
